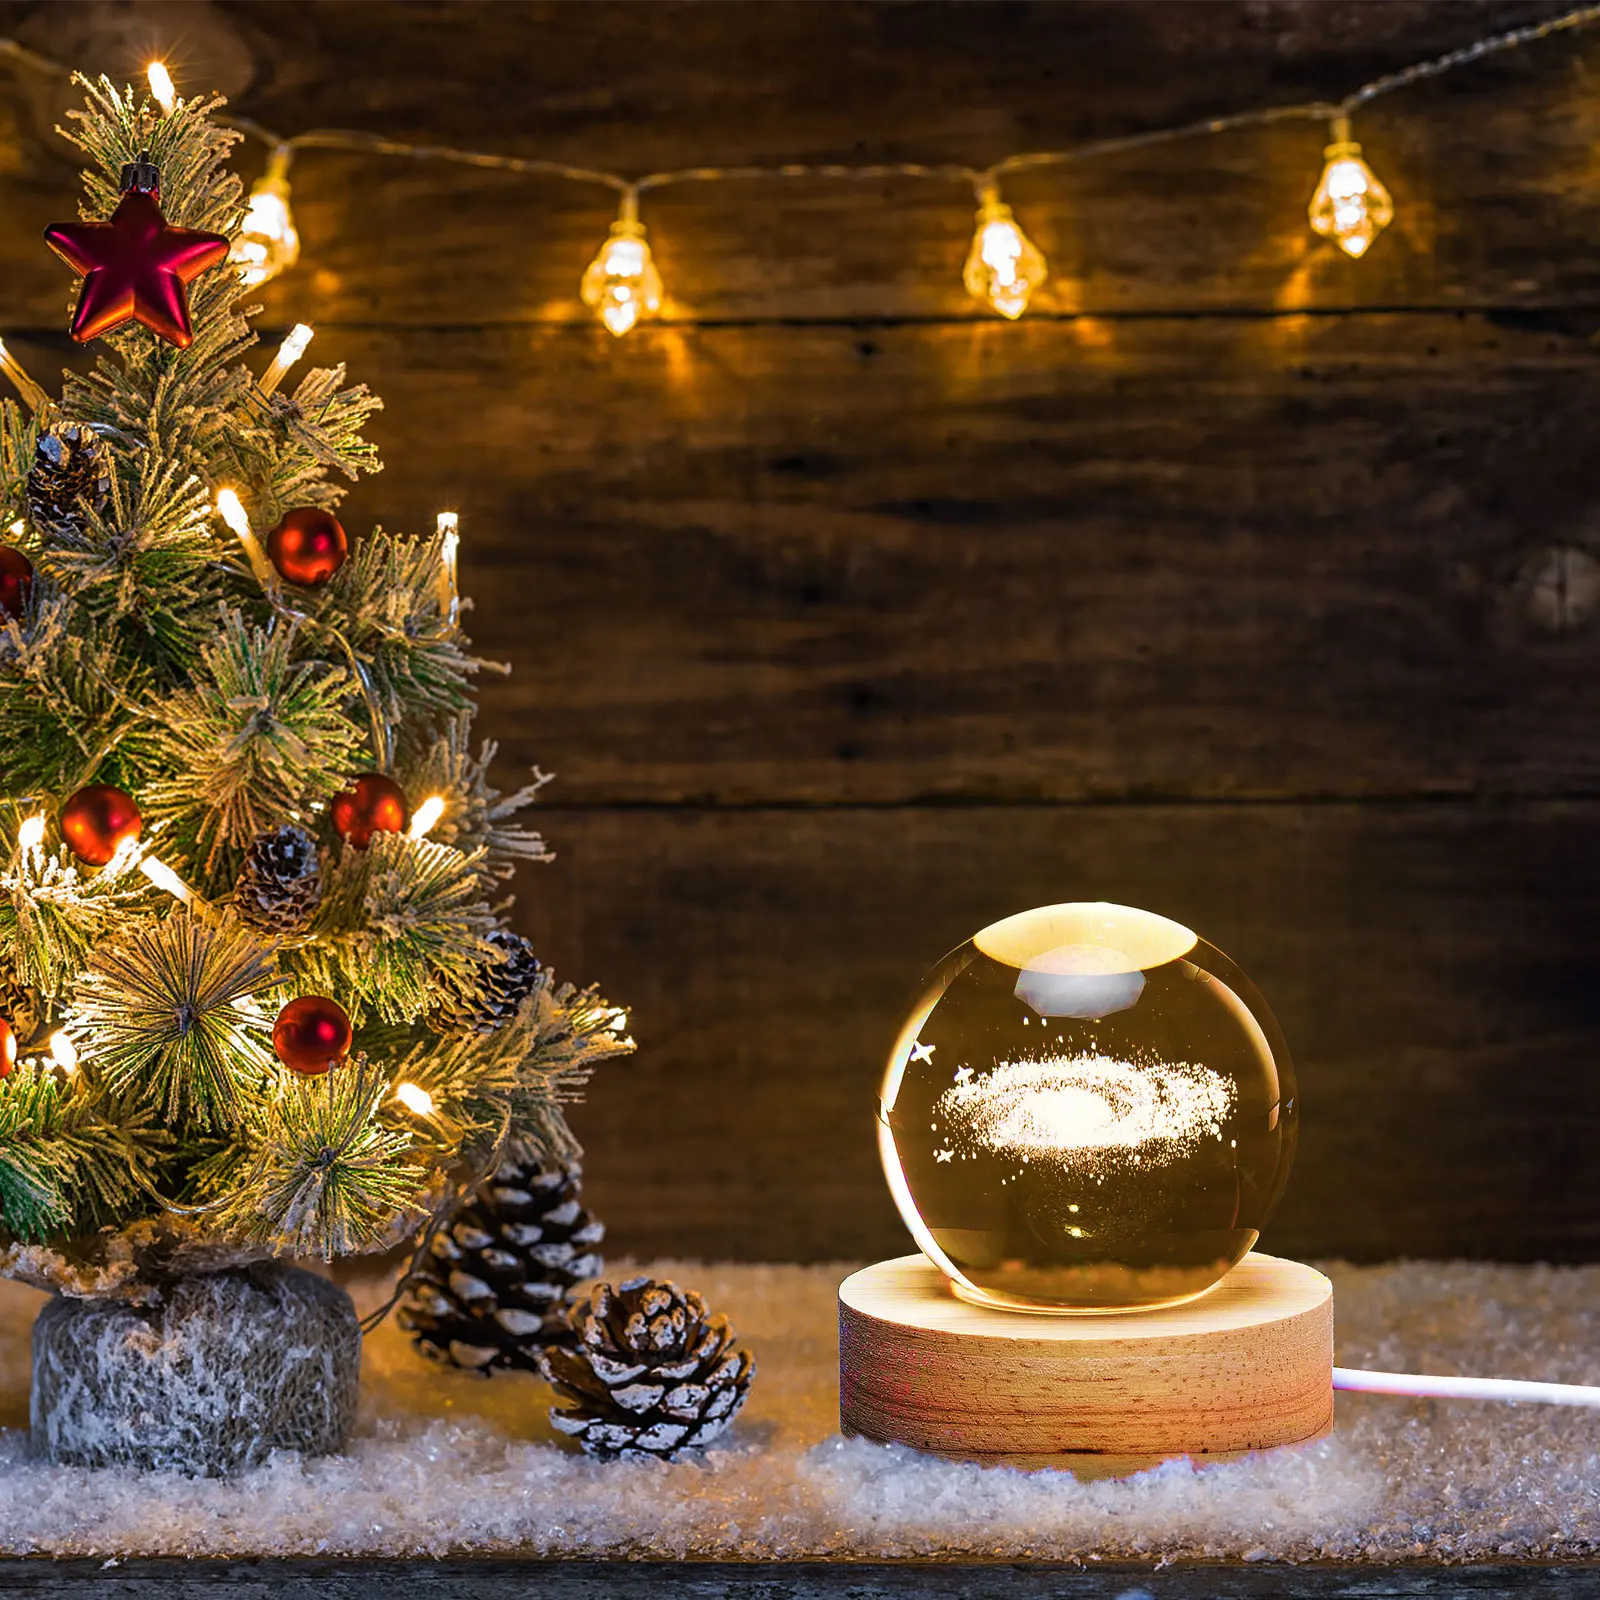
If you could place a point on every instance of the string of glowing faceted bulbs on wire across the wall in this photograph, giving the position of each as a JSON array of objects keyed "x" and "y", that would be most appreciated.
[{"x": 1004, "y": 270}]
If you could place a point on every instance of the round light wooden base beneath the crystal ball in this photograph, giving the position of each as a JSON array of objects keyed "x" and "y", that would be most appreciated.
[{"x": 1246, "y": 1367}]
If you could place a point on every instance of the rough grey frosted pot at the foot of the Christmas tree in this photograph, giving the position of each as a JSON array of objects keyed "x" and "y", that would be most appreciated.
[{"x": 210, "y": 1378}]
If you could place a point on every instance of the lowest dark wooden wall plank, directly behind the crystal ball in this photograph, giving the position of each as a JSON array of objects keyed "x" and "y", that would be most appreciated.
[{"x": 1431, "y": 966}]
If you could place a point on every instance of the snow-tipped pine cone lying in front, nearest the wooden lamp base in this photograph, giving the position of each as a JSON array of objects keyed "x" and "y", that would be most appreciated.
[{"x": 650, "y": 1375}]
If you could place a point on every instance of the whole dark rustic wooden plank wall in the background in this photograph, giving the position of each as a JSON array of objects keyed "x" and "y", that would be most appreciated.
[{"x": 1239, "y": 582}]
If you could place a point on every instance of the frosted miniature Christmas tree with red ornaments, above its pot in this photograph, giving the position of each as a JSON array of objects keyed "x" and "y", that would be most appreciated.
[{"x": 258, "y": 999}]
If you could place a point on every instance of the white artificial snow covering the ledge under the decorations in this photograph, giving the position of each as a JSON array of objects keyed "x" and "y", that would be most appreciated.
[{"x": 446, "y": 1463}]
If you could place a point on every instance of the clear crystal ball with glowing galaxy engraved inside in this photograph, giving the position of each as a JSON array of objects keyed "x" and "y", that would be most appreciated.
[{"x": 1087, "y": 1110}]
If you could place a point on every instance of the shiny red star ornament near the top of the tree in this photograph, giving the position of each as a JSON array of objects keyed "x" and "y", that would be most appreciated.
[{"x": 135, "y": 268}]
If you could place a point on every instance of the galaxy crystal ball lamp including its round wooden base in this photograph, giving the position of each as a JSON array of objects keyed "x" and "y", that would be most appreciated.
[{"x": 1087, "y": 1119}]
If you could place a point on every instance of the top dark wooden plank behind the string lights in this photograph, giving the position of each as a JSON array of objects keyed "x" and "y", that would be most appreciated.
[{"x": 1492, "y": 209}]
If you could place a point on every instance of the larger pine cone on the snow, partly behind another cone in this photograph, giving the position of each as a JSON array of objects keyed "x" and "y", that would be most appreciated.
[{"x": 495, "y": 1287}]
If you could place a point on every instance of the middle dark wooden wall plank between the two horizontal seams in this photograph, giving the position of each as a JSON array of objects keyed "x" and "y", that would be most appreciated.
[{"x": 1210, "y": 559}]
